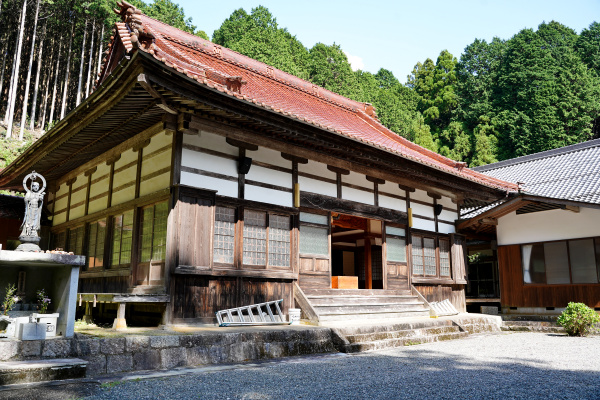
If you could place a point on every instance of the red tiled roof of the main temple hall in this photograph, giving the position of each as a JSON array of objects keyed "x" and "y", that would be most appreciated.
[{"x": 249, "y": 80}]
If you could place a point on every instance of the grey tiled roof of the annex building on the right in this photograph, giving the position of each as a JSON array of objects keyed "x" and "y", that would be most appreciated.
[{"x": 570, "y": 173}]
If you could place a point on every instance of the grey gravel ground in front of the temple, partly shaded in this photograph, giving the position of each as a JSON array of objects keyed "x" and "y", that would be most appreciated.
[{"x": 503, "y": 366}]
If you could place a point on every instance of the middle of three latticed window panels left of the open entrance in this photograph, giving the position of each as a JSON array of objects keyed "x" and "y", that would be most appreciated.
[{"x": 255, "y": 238}]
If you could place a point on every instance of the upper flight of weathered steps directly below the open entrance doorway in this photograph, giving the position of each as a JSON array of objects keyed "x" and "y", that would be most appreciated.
[{"x": 354, "y": 305}]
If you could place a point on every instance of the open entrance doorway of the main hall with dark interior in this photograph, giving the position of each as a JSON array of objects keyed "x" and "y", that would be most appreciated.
[{"x": 356, "y": 250}]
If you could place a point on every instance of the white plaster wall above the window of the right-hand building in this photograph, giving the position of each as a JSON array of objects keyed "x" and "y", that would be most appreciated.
[{"x": 548, "y": 225}]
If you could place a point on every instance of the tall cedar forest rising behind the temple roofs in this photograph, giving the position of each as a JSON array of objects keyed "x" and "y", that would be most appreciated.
[{"x": 536, "y": 91}]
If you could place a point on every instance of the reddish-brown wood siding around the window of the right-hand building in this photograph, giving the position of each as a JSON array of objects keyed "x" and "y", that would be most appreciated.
[{"x": 514, "y": 293}]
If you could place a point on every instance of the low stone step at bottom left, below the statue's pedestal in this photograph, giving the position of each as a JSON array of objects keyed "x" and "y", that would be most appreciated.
[{"x": 13, "y": 372}]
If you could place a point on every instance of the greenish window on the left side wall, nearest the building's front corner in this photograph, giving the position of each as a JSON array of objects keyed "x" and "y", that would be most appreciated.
[{"x": 153, "y": 233}]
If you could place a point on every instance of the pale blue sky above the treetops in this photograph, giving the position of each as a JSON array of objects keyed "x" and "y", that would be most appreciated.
[{"x": 397, "y": 34}]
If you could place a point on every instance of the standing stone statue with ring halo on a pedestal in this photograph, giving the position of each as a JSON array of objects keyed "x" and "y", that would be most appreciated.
[{"x": 34, "y": 199}]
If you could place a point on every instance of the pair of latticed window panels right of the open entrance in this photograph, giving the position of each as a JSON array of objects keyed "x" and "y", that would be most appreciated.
[{"x": 430, "y": 256}]
